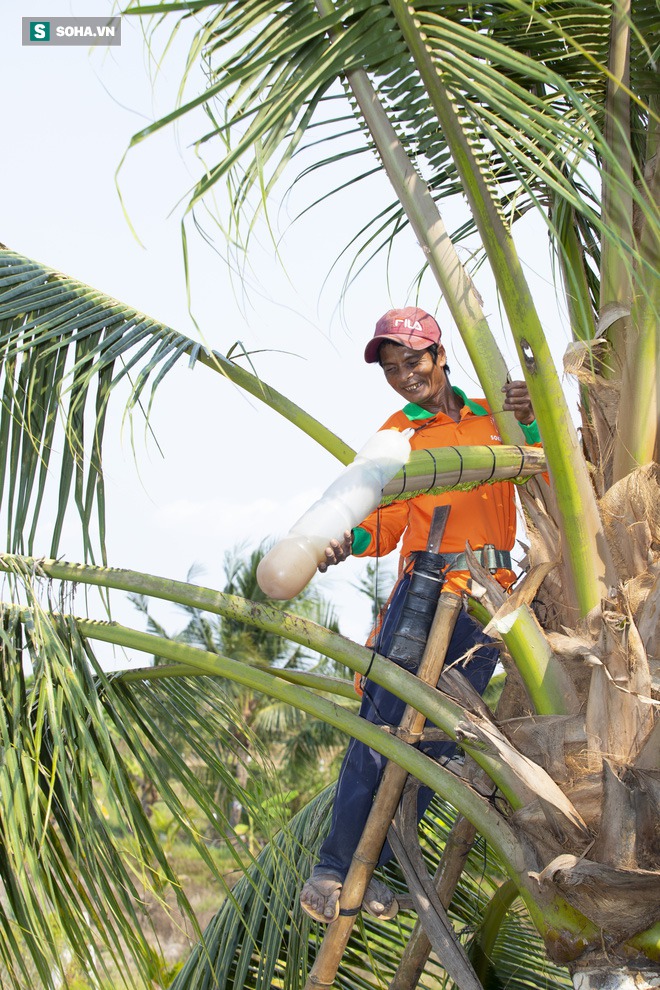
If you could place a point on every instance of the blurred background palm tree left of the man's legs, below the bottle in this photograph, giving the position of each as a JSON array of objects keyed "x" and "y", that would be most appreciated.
[{"x": 301, "y": 749}]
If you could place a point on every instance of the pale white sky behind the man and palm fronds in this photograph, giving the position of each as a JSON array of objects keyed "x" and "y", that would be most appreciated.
[{"x": 230, "y": 470}]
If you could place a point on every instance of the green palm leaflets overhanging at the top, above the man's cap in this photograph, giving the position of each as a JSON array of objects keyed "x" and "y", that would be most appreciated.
[{"x": 528, "y": 82}]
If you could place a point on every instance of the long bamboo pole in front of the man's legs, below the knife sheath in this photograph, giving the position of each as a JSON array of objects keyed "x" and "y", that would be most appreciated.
[{"x": 366, "y": 855}]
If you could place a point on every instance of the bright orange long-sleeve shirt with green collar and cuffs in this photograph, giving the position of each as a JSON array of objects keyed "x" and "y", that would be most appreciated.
[{"x": 484, "y": 515}]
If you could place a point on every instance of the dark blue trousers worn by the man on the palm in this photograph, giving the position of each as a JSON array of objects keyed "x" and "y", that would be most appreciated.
[{"x": 363, "y": 767}]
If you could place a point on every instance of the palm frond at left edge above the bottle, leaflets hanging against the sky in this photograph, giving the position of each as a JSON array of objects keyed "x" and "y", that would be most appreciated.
[{"x": 65, "y": 348}]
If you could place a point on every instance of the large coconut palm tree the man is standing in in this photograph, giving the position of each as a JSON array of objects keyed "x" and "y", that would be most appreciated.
[{"x": 522, "y": 107}]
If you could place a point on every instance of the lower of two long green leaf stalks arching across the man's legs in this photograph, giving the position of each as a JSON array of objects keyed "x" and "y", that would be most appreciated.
[{"x": 547, "y": 912}]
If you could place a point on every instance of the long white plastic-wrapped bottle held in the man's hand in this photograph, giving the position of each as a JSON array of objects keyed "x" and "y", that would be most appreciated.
[{"x": 291, "y": 564}]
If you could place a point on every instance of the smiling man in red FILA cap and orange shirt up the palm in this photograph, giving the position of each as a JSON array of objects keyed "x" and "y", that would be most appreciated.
[{"x": 406, "y": 344}]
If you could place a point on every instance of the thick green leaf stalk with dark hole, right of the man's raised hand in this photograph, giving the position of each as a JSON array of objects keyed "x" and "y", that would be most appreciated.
[{"x": 587, "y": 563}]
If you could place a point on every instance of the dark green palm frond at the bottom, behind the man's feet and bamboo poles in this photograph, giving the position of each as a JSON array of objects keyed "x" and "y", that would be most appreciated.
[{"x": 262, "y": 937}]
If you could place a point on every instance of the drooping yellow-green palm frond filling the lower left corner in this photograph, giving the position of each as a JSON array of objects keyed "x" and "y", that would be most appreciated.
[{"x": 80, "y": 851}]
